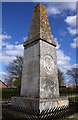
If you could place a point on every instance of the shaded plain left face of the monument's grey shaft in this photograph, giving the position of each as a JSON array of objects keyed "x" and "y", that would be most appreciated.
[{"x": 30, "y": 74}]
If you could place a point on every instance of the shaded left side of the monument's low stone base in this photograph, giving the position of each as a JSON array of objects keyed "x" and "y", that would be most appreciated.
[{"x": 25, "y": 102}]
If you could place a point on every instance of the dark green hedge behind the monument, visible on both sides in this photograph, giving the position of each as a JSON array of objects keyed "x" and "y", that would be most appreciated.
[{"x": 7, "y": 93}]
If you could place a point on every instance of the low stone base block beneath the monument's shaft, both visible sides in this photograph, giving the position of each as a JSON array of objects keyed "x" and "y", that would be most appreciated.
[{"x": 41, "y": 104}]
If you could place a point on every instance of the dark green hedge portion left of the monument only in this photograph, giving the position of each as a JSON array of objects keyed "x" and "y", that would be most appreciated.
[{"x": 7, "y": 93}]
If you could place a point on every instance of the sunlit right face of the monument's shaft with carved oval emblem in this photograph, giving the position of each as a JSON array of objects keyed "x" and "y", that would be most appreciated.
[{"x": 49, "y": 87}]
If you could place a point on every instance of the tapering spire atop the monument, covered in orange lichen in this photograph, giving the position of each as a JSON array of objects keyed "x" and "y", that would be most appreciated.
[{"x": 40, "y": 28}]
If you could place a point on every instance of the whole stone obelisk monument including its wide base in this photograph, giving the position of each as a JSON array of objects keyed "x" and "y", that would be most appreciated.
[{"x": 39, "y": 86}]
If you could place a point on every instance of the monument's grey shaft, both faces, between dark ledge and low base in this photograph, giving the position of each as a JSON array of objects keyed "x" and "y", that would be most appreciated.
[{"x": 37, "y": 81}]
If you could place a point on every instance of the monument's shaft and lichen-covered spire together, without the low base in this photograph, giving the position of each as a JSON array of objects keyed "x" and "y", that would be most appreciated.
[{"x": 43, "y": 85}]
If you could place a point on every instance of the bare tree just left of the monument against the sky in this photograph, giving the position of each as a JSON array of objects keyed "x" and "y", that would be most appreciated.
[{"x": 14, "y": 70}]
